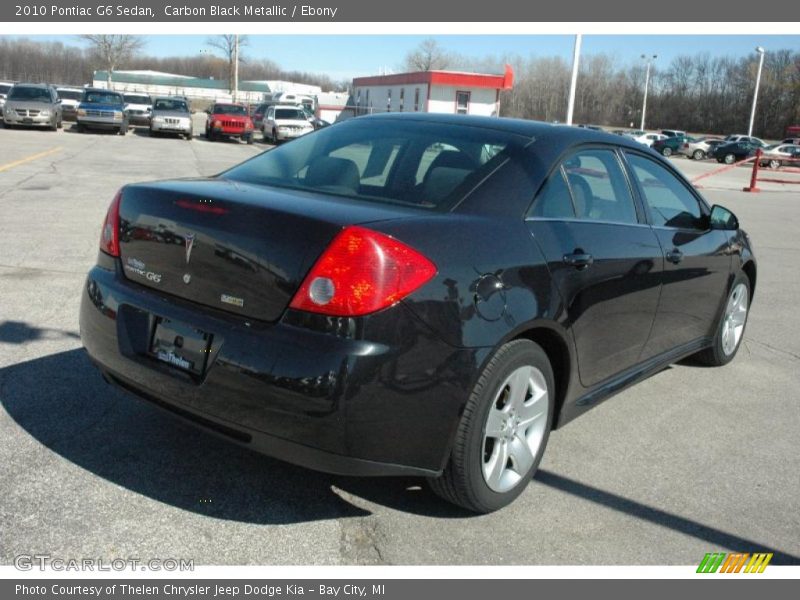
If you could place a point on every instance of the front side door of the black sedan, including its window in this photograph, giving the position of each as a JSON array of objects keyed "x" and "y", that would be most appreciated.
[{"x": 696, "y": 258}]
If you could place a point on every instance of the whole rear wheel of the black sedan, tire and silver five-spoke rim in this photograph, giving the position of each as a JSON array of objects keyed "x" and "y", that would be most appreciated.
[{"x": 503, "y": 430}]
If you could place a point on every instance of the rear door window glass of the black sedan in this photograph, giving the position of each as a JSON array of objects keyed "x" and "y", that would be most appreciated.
[{"x": 600, "y": 191}]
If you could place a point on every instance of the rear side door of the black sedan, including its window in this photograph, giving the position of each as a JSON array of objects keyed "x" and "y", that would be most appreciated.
[{"x": 604, "y": 259}]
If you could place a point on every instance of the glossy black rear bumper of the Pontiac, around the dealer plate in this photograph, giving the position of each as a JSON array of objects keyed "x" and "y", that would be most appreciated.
[{"x": 317, "y": 399}]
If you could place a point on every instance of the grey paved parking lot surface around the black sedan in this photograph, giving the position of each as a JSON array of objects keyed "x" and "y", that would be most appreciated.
[{"x": 691, "y": 461}]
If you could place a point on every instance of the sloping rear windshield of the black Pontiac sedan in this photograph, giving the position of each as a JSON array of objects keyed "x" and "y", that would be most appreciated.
[{"x": 424, "y": 164}]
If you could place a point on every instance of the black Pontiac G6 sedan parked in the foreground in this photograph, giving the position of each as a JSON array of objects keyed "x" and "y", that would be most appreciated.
[{"x": 414, "y": 294}]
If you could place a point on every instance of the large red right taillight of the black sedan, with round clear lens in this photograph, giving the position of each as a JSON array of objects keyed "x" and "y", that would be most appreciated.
[{"x": 362, "y": 271}]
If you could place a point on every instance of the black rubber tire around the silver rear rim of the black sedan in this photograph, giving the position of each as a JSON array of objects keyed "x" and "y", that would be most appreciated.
[{"x": 462, "y": 481}]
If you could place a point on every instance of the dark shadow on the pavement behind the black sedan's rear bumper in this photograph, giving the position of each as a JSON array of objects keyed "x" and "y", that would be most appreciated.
[{"x": 62, "y": 401}]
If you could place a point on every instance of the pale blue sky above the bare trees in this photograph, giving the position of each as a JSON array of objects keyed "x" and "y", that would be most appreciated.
[{"x": 346, "y": 56}]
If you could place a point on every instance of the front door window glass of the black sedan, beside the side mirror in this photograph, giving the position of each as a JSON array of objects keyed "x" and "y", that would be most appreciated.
[{"x": 671, "y": 204}]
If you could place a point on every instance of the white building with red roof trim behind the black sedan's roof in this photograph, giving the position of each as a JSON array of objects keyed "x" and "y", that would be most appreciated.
[{"x": 450, "y": 92}]
